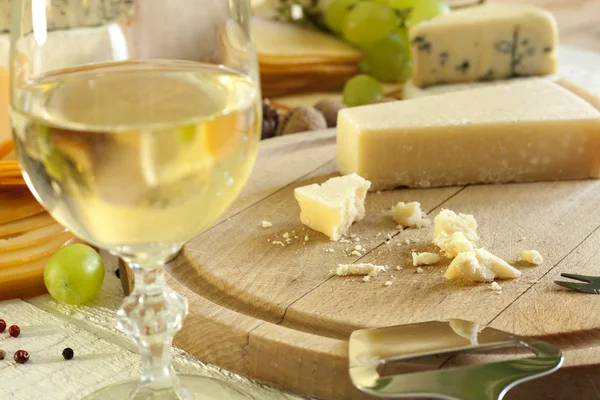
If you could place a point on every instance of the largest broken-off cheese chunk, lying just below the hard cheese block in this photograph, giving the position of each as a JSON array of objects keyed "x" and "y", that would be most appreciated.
[{"x": 331, "y": 208}]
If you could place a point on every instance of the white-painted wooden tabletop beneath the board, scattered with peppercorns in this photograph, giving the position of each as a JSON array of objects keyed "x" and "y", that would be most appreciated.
[{"x": 105, "y": 356}]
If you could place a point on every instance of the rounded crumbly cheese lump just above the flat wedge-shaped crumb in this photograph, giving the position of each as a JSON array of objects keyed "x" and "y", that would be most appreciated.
[{"x": 454, "y": 233}]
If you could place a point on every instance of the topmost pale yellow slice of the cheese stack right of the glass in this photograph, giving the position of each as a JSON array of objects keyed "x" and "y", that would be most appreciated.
[{"x": 283, "y": 41}]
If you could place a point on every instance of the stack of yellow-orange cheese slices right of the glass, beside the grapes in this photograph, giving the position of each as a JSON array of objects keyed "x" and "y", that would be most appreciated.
[{"x": 295, "y": 60}]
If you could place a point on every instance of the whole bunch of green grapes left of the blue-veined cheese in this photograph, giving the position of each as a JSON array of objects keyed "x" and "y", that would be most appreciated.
[{"x": 380, "y": 29}]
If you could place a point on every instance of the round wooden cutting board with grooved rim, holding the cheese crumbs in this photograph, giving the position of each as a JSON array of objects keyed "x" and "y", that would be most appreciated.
[{"x": 276, "y": 313}]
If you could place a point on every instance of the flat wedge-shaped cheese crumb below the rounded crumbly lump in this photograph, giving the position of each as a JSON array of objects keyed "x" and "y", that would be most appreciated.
[{"x": 480, "y": 265}]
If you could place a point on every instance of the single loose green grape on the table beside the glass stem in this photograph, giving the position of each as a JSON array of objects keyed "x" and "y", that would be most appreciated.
[{"x": 74, "y": 274}]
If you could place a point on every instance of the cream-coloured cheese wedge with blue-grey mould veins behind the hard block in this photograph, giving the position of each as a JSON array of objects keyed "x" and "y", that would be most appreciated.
[{"x": 483, "y": 43}]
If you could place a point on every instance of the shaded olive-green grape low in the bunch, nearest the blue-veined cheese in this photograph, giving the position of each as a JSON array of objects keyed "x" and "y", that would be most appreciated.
[{"x": 385, "y": 59}]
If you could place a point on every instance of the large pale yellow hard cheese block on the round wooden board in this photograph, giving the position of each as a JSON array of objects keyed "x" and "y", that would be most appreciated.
[{"x": 526, "y": 131}]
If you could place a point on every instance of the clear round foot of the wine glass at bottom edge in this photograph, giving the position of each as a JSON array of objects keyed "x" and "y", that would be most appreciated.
[{"x": 195, "y": 388}]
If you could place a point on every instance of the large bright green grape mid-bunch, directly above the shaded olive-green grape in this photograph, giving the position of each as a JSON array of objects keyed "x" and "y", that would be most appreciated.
[{"x": 368, "y": 22}]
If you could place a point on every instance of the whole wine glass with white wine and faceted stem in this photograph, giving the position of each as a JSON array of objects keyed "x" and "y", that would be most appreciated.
[{"x": 136, "y": 124}]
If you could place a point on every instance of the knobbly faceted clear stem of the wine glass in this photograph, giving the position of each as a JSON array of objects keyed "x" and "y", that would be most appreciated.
[{"x": 151, "y": 316}]
